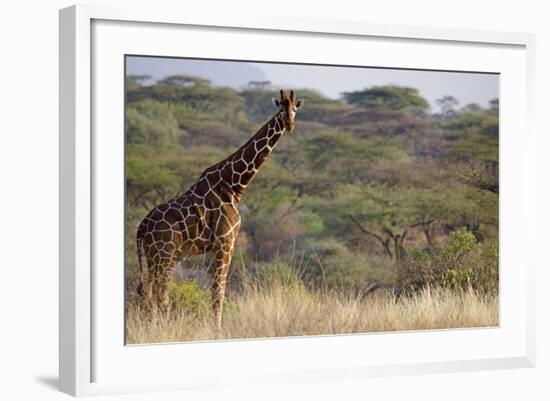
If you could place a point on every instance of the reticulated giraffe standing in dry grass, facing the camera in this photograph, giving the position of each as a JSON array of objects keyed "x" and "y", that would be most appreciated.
[{"x": 205, "y": 218}]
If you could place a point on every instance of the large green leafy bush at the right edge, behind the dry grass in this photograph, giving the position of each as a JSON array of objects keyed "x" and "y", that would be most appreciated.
[{"x": 461, "y": 264}]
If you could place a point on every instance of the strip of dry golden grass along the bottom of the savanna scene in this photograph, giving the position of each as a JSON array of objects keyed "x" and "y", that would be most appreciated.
[{"x": 277, "y": 310}]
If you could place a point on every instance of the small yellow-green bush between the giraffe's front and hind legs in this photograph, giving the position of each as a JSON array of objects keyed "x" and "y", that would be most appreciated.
[{"x": 190, "y": 297}]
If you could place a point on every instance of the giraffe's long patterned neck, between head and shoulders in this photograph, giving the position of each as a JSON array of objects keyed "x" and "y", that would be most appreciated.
[{"x": 241, "y": 167}]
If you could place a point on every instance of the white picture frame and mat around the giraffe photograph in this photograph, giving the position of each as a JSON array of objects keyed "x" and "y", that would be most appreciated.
[{"x": 82, "y": 158}]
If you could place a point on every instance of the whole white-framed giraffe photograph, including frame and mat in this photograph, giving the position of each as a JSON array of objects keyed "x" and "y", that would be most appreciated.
[{"x": 271, "y": 200}]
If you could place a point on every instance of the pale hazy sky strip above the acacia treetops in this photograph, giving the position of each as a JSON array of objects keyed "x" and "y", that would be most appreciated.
[{"x": 329, "y": 80}]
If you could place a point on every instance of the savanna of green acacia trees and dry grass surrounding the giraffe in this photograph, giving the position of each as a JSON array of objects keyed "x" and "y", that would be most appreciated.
[{"x": 375, "y": 214}]
